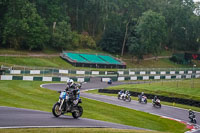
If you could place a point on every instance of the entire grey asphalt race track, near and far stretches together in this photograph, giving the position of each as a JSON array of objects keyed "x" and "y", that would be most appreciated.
[{"x": 19, "y": 118}]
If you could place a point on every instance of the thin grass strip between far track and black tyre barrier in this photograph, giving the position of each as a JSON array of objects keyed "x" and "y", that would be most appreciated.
[{"x": 149, "y": 100}]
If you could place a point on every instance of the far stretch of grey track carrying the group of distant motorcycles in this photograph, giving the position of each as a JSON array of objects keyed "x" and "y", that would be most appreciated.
[{"x": 165, "y": 111}]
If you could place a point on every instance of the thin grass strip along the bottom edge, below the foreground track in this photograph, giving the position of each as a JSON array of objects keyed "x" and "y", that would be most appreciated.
[{"x": 73, "y": 130}]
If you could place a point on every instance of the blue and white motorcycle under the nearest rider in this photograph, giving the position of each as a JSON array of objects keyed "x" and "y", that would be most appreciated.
[{"x": 67, "y": 103}]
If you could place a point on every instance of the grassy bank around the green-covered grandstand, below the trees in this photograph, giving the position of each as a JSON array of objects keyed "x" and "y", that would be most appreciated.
[{"x": 59, "y": 63}]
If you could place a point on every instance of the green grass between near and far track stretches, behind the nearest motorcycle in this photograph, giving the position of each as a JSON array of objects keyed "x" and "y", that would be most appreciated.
[{"x": 27, "y": 94}]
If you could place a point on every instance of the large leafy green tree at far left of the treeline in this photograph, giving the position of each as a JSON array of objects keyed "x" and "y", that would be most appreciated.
[{"x": 23, "y": 27}]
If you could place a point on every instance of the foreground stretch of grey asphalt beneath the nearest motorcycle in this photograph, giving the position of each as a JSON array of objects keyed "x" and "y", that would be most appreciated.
[{"x": 24, "y": 118}]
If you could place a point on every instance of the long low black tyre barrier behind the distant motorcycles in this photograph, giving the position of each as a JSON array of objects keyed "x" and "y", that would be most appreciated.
[{"x": 162, "y": 98}]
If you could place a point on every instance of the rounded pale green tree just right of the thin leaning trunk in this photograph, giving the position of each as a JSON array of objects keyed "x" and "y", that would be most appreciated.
[{"x": 152, "y": 31}]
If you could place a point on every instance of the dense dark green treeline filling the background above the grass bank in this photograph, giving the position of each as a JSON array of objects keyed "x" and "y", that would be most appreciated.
[{"x": 117, "y": 26}]
